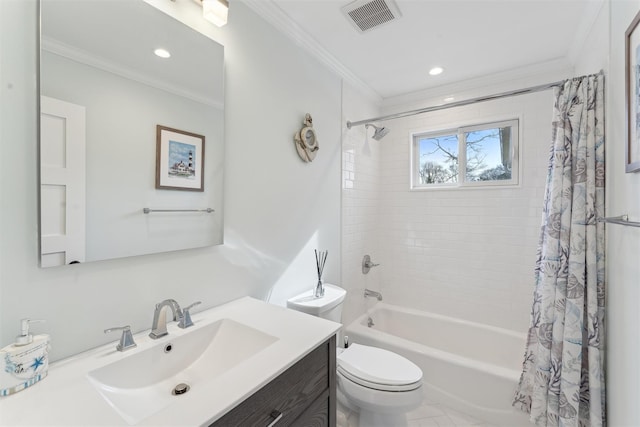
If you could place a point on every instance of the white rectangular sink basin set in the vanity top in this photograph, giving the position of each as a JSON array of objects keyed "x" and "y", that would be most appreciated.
[{"x": 146, "y": 380}]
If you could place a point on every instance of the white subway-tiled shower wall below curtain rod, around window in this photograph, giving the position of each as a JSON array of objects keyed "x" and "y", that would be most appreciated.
[{"x": 468, "y": 253}]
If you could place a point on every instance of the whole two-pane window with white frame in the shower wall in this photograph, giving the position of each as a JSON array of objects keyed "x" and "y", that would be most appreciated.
[{"x": 488, "y": 153}]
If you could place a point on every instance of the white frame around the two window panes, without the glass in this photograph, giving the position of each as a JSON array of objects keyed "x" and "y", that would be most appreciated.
[{"x": 513, "y": 122}]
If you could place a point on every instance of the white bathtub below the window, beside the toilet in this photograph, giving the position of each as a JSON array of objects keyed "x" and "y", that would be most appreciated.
[{"x": 470, "y": 367}]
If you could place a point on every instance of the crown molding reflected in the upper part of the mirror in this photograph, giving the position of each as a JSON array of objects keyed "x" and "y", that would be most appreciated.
[{"x": 81, "y": 56}]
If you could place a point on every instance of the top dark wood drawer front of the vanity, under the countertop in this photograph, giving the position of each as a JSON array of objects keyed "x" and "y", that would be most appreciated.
[{"x": 290, "y": 394}]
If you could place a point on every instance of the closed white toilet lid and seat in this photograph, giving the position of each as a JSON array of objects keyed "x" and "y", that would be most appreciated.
[{"x": 378, "y": 368}]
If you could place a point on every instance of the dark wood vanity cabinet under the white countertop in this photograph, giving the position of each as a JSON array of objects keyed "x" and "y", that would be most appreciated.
[{"x": 302, "y": 396}]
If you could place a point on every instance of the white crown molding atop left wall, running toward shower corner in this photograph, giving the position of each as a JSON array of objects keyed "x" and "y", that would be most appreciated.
[{"x": 271, "y": 13}]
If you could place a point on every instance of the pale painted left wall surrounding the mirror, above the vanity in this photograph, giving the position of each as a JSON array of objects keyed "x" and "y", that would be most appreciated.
[{"x": 277, "y": 208}]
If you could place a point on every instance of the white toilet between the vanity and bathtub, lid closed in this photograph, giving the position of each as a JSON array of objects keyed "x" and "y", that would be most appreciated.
[{"x": 379, "y": 384}]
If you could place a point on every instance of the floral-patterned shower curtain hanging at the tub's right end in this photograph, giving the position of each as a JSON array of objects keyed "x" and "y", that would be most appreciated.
[{"x": 562, "y": 382}]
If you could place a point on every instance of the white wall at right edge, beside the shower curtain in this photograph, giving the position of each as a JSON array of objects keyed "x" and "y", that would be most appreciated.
[{"x": 623, "y": 243}]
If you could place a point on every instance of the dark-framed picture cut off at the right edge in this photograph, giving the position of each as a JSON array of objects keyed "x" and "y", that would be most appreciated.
[{"x": 632, "y": 89}]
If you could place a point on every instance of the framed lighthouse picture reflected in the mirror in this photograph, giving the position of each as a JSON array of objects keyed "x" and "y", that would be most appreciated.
[{"x": 179, "y": 160}]
